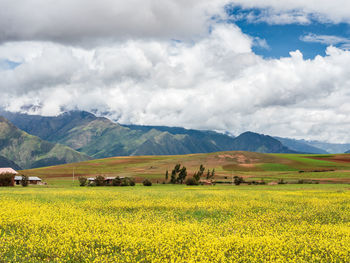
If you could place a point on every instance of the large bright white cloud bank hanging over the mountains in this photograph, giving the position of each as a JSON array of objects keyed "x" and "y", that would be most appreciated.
[{"x": 216, "y": 83}]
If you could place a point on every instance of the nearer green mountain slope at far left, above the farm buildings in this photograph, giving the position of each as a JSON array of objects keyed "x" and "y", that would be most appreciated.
[{"x": 29, "y": 151}]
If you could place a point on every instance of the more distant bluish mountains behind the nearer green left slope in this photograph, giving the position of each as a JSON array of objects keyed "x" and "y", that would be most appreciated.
[{"x": 99, "y": 137}]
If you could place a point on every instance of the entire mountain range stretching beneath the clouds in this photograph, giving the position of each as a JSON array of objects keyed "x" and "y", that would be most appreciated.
[{"x": 79, "y": 135}]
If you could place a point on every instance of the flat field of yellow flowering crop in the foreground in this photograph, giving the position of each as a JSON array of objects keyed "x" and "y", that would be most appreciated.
[{"x": 164, "y": 223}]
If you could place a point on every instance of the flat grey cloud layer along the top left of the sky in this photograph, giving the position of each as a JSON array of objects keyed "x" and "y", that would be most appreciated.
[{"x": 88, "y": 22}]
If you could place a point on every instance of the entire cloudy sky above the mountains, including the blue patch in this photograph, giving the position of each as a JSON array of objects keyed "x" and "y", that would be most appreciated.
[{"x": 274, "y": 67}]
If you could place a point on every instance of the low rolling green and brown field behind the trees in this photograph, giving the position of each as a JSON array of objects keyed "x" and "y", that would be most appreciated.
[{"x": 251, "y": 166}]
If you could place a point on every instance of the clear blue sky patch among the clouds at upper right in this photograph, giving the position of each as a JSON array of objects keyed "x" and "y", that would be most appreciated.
[{"x": 283, "y": 38}]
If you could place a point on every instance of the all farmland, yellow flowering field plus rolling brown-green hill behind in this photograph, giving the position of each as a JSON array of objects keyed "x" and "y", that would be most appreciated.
[{"x": 62, "y": 222}]
